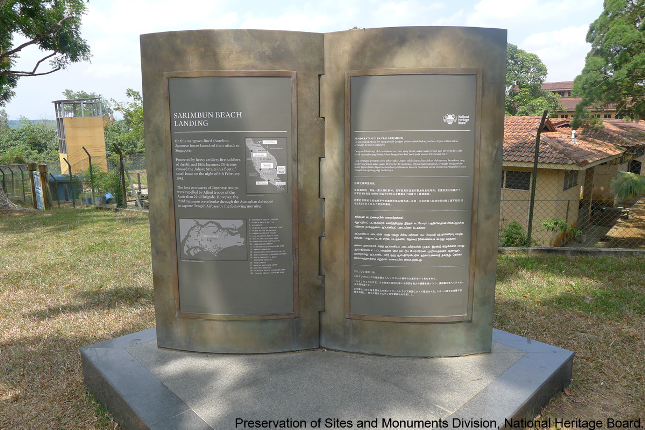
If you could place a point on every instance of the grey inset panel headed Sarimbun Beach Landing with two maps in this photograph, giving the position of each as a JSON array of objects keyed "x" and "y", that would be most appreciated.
[{"x": 231, "y": 145}]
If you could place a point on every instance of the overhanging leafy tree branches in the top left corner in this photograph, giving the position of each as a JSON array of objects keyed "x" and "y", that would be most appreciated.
[{"x": 51, "y": 25}]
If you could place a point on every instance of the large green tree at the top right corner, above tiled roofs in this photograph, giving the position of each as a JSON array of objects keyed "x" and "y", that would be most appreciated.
[{"x": 614, "y": 71}]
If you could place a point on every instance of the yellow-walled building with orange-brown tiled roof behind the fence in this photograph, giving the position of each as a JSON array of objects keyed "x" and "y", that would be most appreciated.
[{"x": 574, "y": 170}]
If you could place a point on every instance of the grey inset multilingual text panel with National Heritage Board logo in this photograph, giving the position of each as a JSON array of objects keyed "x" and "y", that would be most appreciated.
[{"x": 411, "y": 173}]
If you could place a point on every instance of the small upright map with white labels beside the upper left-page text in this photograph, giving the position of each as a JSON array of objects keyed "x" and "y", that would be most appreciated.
[{"x": 266, "y": 160}]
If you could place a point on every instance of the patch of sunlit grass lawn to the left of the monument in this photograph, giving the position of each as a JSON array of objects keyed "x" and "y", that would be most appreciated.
[{"x": 70, "y": 278}]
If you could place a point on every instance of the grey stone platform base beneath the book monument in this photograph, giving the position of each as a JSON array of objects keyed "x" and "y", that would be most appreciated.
[{"x": 146, "y": 387}]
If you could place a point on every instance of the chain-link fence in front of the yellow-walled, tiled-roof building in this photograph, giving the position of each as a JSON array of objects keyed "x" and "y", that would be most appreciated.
[{"x": 575, "y": 206}]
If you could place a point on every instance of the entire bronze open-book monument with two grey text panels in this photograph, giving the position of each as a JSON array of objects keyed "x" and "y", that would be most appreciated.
[{"x": 337, "y": 190}]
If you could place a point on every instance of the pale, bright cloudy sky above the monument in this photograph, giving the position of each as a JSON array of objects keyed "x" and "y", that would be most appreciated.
[{"x": 555, "y": 30}]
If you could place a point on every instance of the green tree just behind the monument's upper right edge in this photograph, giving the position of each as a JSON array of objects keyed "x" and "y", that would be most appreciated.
[{"x": 525, "y": 73}]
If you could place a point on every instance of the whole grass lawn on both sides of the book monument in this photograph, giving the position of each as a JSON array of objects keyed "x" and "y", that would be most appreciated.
[{"x": 71, "y": 278}]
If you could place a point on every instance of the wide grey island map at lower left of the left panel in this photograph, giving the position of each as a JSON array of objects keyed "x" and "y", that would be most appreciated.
[{"x": 203, "y": 239}]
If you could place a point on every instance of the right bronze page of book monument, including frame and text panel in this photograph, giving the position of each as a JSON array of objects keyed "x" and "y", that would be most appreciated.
[{"x": 414, "y": 127}]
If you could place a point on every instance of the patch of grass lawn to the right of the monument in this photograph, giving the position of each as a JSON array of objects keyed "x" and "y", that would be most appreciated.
[{"x": 594, "y": 306}]
